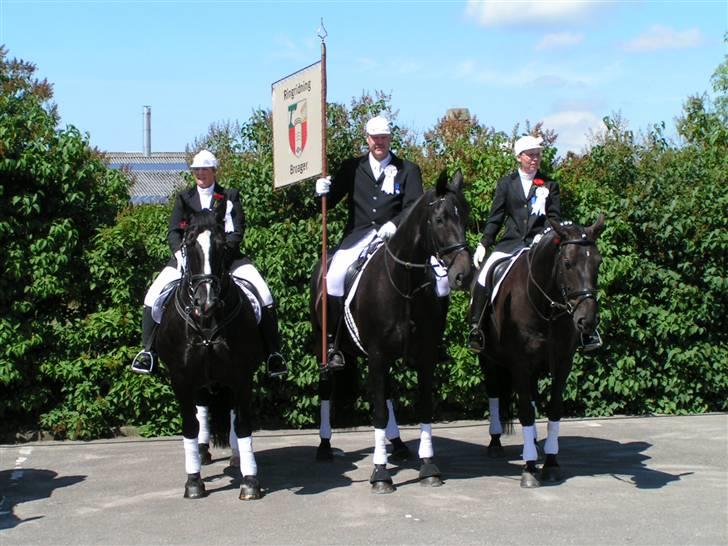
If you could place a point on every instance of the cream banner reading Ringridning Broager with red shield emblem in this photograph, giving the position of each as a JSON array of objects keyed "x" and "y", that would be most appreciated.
[{"x": 297, "y": 116}]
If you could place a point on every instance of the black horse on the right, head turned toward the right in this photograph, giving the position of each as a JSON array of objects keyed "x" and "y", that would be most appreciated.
[{"x": 545, "y": 303}]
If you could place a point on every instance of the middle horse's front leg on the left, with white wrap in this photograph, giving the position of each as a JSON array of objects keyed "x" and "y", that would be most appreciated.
[{"x": 380, "y": 479}]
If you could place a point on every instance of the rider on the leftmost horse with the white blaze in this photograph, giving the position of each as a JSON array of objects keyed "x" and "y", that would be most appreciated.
[{"x": 207, "y": 194}]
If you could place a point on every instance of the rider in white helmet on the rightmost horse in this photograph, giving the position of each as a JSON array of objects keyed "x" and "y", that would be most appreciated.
[{"x": 524, "y": 200}]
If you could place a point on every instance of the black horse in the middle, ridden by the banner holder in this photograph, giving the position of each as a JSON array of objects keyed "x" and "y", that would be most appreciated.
[{"x": 397, "y": 314}]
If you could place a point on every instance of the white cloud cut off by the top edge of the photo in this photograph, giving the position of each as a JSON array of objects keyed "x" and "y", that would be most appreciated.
[{"x": 492, "y": 13}]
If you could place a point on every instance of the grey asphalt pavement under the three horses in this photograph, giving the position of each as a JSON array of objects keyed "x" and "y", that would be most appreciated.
[{"x": 627, "y": 481}]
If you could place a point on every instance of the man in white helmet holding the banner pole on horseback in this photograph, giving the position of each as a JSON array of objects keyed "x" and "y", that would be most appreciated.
[{"x": 379, "y": 188}]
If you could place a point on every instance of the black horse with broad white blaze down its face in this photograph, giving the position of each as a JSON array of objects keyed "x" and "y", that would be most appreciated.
[{"x": 209, "y": 342}]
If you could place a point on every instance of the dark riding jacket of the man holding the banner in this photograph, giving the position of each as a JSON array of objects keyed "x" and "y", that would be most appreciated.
[{"x": 369, "y": 207}]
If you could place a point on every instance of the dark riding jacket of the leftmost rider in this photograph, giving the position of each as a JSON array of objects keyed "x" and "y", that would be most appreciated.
[{"x": 188, "y": 202}]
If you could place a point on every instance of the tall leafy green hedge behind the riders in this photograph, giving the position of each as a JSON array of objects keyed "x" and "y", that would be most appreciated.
[{"x": 77, "y": 260}]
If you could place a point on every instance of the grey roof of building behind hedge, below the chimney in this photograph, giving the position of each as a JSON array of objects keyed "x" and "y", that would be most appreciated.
[{"x": 154, "y": 178}]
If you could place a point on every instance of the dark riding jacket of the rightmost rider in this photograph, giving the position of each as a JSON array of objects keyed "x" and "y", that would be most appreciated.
[{"x": 512, "y": 208}]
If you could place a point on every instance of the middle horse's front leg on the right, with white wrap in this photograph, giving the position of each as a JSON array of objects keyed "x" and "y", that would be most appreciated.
[{"x": 429, "y": 472}]
